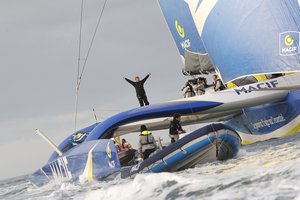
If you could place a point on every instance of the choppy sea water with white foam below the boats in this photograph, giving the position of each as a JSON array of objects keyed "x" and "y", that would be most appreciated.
[{"x": 265, "y": 170}]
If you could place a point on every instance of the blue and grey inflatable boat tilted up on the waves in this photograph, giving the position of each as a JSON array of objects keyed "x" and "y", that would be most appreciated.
[{"x": 210, "y": 143}]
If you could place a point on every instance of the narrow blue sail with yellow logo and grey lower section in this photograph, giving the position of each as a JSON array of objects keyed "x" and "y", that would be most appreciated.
[{"x": 186, "y": 36}]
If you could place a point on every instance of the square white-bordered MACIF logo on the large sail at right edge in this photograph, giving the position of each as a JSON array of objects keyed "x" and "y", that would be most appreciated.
[{"x": 289, "y": 43}]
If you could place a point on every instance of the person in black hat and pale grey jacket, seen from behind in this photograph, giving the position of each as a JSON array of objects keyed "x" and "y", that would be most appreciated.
[{"x": 147, "y": 143}]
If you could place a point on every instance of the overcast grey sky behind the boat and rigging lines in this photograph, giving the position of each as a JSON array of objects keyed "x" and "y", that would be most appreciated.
[{"x": 39, "y": 49}]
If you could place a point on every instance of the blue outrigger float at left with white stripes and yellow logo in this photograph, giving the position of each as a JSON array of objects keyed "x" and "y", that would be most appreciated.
[{"x": 86, "y": 162}]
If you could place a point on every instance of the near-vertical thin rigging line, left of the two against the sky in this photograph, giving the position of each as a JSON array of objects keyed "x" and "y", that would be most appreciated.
[{"x": 78, "y": 63}]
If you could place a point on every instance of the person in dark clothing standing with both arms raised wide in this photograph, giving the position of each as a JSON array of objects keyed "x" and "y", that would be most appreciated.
[{"x": 139, "y": 88}]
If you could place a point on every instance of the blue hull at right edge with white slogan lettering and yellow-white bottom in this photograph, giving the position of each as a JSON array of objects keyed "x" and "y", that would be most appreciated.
[{"x": 268, "y": 121}]
